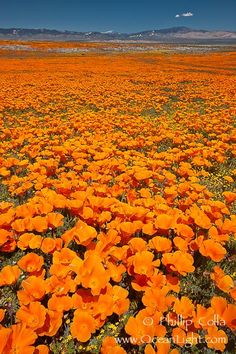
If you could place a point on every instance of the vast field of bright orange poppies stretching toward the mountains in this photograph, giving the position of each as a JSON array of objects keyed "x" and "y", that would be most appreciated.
[{"x": 117, "y": 203}]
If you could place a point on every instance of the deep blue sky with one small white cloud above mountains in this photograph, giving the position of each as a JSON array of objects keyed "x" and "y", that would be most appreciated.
[{"x": 118, "y": 15}]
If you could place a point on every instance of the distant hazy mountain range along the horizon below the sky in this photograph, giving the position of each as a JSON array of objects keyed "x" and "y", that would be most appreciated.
[{"x": 174, "y": 34}]
